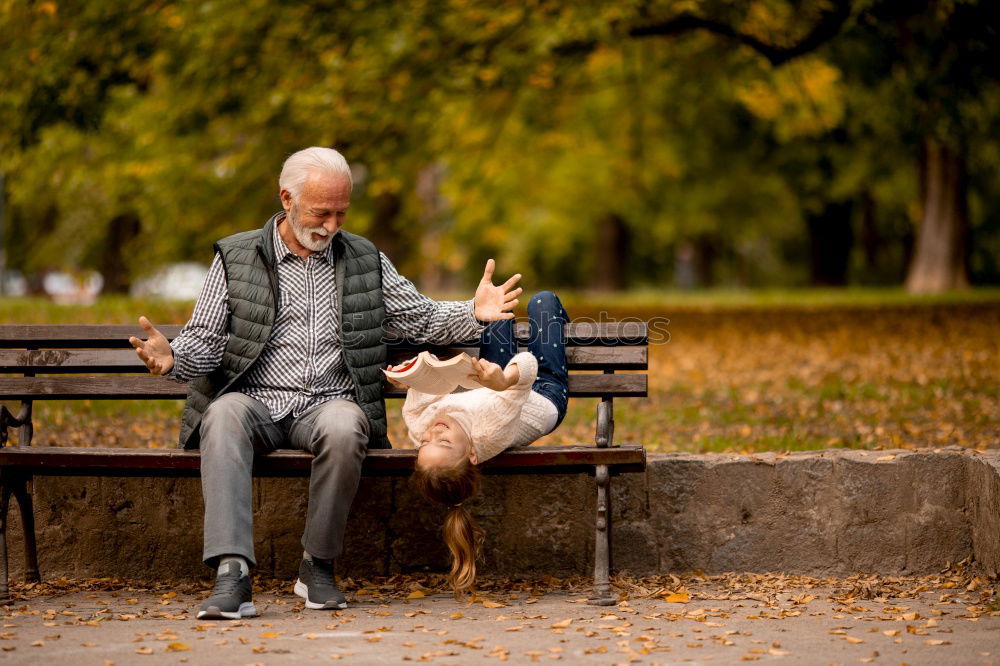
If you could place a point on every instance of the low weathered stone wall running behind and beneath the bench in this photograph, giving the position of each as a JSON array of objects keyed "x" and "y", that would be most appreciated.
[{"x": 821, "y": 513}]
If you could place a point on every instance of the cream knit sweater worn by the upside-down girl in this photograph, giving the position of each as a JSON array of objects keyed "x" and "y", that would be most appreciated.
[{"x": 494, "y": 420}]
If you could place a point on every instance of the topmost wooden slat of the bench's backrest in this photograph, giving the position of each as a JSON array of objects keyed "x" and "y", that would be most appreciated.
[{"x": 116, "y": 337}]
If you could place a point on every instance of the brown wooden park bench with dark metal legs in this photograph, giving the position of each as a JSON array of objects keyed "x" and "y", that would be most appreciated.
[{"x": 97, "y": 363}]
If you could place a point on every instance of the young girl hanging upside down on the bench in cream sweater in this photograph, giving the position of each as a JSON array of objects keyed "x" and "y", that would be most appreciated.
[{"x": 524, "y": 397}]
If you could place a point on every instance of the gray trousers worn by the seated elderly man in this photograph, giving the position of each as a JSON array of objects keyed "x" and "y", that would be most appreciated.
[{"x": 235, "y": 427}]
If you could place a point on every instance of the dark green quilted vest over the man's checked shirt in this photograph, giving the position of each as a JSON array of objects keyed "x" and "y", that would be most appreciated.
[{"x": 252, "y": 281}]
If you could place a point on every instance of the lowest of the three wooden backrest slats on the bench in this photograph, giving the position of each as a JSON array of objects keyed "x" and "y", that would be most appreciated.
[{"x": 155, "y": 388}]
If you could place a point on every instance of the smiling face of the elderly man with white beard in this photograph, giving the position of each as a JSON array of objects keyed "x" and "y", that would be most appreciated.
[{"x": 319, "y": 210}]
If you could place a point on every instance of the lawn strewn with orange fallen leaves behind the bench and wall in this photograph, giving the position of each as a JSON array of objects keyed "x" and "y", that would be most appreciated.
[{"x": 778, "y": 371}]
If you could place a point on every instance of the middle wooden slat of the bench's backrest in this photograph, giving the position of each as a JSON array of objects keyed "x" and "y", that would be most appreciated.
[{"x": 97, "y": 361}]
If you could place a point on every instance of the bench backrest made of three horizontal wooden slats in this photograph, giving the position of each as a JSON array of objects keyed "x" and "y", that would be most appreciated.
[{"x": 97, "y": 362}]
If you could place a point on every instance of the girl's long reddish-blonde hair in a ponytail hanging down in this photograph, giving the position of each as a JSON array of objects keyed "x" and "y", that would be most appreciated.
[{"x": 451, "y": 486}]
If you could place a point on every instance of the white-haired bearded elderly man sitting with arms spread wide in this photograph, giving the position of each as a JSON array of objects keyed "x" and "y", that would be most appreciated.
[{"x": 285, "y": 349}]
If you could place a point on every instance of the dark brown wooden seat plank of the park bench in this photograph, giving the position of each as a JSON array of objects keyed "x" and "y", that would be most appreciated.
[{"x": 60, "y": 461}]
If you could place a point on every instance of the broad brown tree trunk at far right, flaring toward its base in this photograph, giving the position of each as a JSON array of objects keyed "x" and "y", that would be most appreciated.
[{"x": 940, "y": 258}]
